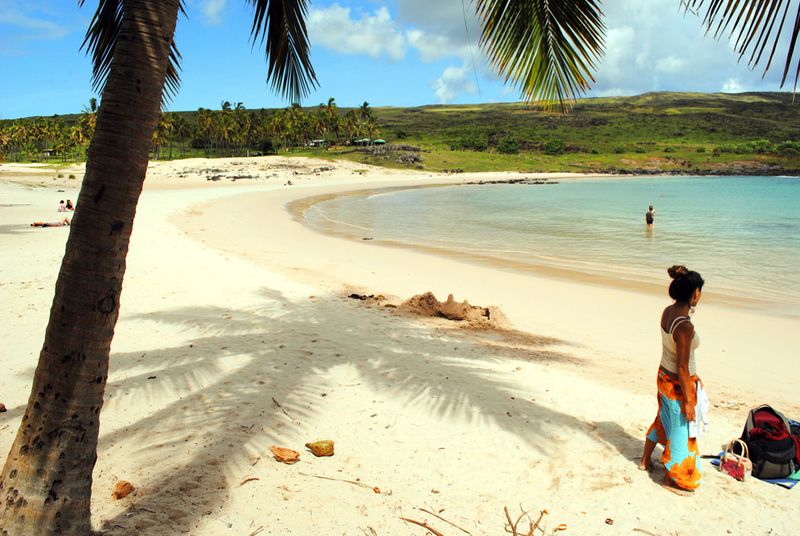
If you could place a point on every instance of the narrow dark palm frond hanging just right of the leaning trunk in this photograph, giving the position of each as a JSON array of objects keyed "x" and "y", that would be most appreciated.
[{"x": 281, "y": 23}]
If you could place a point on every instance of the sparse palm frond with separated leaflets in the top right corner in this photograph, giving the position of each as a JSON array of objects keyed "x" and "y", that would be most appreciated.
[{"x": 757, "y": 26}]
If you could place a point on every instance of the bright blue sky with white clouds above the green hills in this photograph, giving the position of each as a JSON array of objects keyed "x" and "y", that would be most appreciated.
[{"x": 391, "y": 53}]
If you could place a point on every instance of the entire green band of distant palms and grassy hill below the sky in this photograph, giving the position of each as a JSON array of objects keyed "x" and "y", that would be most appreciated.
[{"x": 748, "y": 133}]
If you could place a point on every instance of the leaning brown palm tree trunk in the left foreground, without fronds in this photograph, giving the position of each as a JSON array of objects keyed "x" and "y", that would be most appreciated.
[{"x": 45, "y": 485}]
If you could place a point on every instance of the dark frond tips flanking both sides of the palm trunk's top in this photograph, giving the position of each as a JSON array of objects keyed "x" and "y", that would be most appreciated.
[{"x": 101, "y": 38}]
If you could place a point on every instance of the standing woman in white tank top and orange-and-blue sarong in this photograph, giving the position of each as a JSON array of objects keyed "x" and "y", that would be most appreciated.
[{"x": 677, "y": 383}]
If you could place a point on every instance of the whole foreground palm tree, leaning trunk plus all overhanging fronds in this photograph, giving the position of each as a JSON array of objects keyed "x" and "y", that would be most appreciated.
[{"x": 548, "y": 50}]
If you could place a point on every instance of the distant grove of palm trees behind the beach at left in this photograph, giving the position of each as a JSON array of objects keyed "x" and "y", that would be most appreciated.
[{"x": 233, "y": 130}]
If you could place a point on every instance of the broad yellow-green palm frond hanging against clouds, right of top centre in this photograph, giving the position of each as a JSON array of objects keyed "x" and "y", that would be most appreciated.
[{"x": 547, "y": 48}]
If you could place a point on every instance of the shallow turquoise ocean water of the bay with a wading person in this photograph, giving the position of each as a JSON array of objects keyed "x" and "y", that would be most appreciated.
[{"x": 741, "y": 233}]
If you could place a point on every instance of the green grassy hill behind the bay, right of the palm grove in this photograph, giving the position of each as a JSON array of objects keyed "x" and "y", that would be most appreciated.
[{"x": 654, "y": 132}]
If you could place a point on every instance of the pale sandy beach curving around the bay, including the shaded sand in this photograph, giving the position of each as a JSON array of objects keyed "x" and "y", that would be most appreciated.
[{"x": 236, "y": 333}]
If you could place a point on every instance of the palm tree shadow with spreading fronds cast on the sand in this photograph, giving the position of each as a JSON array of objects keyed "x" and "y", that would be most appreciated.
[{"x": 251, "y": 378}]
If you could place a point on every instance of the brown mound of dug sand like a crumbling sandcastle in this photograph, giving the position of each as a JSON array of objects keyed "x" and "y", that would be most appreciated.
[{"x": 473, "y": 315}]
